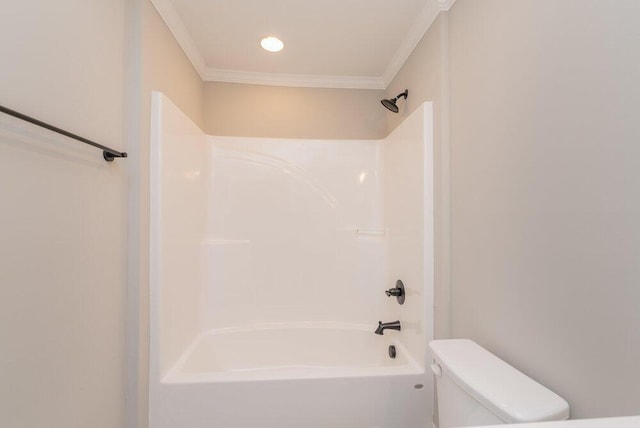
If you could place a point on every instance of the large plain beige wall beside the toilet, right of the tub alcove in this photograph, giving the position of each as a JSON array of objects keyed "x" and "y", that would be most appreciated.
[{"x": 545, "y": 173}]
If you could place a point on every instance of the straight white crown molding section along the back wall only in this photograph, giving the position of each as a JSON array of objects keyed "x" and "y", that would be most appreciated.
[{"x": 296, "y": 80}]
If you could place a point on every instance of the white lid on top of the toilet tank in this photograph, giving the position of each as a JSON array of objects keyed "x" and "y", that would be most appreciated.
[{"x": 508, "y": 393}]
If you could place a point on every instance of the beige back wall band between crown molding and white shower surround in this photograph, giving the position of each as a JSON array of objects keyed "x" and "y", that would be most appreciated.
[{"x": 234, "y": 109}]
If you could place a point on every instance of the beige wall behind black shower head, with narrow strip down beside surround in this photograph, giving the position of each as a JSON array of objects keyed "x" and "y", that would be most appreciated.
[{"x": 425, "y": 74}]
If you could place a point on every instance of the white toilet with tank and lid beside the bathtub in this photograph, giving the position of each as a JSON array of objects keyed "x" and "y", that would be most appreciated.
[{"x": 477, "y": 388}]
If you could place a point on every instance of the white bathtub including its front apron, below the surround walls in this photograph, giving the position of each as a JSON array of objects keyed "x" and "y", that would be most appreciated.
[{"x": 294, "y": 375}]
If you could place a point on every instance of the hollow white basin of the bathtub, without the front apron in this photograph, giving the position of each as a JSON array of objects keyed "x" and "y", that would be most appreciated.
[{"x": 291, "y": 351}]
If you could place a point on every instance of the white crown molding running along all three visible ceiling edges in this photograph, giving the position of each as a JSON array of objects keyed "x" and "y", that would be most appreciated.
[{"x": 420, "y": 26}]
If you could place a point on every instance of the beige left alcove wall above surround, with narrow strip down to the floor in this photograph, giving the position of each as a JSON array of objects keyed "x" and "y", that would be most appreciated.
[{"x": 163, "y": 67}]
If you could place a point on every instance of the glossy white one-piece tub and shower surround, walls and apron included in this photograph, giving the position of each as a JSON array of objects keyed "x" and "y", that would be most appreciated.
[{"x": 270, "y": 259}]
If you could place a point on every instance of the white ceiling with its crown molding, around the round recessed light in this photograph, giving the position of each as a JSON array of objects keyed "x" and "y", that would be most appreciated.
[{"x": 328, "y": 43}]
